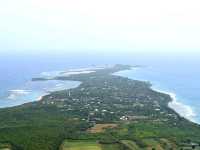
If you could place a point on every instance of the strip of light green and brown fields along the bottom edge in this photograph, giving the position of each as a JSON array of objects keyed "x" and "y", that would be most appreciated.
[{"x": 158, "y": 144}]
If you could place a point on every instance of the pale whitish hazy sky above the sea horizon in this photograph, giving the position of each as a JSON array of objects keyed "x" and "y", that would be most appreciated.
[{"x": 128, "y": 26}]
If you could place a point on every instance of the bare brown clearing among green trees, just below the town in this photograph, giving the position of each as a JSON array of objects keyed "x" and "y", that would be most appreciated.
[{"x": 98, "y": 128}]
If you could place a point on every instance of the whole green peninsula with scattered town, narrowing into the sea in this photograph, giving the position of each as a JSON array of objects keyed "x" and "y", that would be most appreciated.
[{"x": 105, "y": 111}]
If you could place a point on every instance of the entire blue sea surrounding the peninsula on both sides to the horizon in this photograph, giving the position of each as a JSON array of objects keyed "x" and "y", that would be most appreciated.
[{"x": 174, "y": 75}]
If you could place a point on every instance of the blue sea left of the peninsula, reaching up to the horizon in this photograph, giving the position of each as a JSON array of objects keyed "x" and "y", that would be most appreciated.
[{"x": 17, "y": 70}]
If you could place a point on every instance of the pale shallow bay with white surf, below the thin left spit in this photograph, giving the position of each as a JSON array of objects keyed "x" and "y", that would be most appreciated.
[{"x": 32, "y": 91}]
